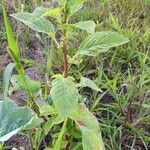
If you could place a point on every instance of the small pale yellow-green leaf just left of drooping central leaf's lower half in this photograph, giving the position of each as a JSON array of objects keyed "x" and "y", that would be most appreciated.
[{"x": 47, "y": 110}]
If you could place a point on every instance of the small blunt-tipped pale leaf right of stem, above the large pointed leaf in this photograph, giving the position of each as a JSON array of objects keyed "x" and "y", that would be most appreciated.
[{"x": 88, "y": 26}]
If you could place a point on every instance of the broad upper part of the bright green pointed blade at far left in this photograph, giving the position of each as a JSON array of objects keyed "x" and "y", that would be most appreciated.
[{"x": 13, "y": 47}]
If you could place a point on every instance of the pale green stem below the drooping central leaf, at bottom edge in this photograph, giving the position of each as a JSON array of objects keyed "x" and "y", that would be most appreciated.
[{"x": 58, "y": 142}]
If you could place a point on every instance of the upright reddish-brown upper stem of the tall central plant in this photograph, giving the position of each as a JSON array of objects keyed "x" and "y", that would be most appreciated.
[{"x": 64, "y": 48}]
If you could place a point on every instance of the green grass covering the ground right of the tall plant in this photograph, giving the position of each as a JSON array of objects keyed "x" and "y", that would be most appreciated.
[{"x": 123, "y": 74}]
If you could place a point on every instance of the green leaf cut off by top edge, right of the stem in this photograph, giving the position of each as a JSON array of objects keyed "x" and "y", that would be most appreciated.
[{"x": 73, "y": 6}]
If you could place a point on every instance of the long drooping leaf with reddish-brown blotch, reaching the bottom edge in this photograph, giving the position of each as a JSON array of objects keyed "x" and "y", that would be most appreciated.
[{"x": 89, "y": 126}]
